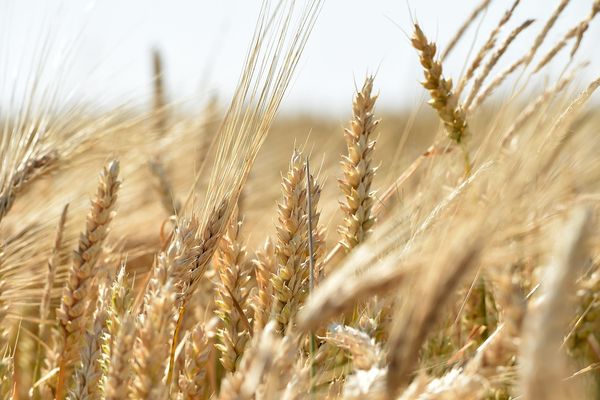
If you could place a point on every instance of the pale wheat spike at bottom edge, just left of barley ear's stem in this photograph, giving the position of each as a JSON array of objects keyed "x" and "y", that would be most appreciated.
[{"x": 151, "y": 348}]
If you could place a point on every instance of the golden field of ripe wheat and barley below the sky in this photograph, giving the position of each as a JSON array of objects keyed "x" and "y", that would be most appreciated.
[{"x": 446, "y": 252}]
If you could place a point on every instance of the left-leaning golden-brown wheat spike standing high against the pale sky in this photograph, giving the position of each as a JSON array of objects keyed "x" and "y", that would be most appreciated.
[{"x": 443, "y": 99}]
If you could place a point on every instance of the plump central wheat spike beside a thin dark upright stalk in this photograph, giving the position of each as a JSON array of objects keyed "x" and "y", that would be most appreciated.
[{"x": 290, "y": 283}]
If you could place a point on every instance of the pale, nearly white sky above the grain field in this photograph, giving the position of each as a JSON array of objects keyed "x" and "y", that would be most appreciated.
[{"x": 204, "y": 41}]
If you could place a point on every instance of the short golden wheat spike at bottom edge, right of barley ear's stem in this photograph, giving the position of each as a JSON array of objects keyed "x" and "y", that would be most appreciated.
[{"x": 192, "y": 379}]
